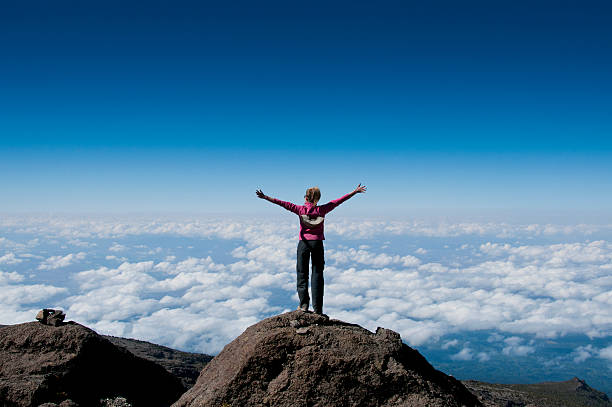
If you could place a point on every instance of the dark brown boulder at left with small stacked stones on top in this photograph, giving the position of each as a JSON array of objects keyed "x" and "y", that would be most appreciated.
[{"x": 41, "y": 363}]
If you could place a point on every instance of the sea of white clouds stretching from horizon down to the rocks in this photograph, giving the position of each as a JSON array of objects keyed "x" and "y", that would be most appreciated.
[{"x": 469, "y": 291}]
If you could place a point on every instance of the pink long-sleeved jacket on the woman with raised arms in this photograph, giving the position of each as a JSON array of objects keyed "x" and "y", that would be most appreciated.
[{"x": 311, "y": 216}]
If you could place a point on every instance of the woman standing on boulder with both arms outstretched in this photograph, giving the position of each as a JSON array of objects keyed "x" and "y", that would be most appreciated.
[{"x": 311, "y": 242}]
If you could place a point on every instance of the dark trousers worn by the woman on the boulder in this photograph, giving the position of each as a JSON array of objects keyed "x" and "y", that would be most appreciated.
[{"x": 310, "y": 249}]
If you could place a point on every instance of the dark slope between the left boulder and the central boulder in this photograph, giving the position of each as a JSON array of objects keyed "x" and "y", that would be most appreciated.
[{"x": 186, "y": 366}]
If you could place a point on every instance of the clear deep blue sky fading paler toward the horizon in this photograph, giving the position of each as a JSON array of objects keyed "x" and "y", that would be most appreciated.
[{"x": 190, "y": 106}]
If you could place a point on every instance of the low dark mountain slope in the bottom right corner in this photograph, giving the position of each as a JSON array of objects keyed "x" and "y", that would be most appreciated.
[{"x": 571, "y": 393}]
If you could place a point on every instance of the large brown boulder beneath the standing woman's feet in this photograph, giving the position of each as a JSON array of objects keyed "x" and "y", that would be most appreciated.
[{"x": 303, "y": 359}]
